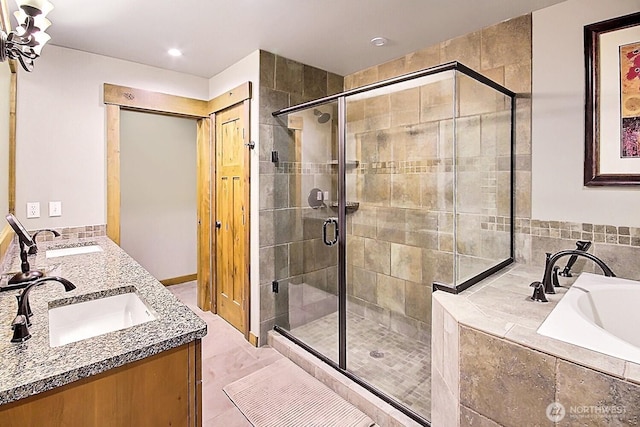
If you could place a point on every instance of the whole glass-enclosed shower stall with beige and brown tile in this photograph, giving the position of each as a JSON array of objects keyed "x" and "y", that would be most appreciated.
[{"x": 377, "y": 194}]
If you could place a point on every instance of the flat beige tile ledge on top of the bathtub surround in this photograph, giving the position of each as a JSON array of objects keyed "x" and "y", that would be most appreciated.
[{"x": 501, "y": 306}]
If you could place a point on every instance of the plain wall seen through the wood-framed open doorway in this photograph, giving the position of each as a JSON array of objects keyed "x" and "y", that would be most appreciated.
[{"x": 158, "y": 207}]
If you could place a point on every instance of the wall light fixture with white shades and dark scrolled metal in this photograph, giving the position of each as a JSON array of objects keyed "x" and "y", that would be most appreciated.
[{"x": 26, "y": 42}]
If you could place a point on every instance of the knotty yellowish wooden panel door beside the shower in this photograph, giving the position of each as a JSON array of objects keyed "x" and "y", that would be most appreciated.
[{"x": 232, "y": 220}]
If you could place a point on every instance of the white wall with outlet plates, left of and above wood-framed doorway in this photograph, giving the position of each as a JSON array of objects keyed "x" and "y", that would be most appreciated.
[{"x": 61, "y": 130}]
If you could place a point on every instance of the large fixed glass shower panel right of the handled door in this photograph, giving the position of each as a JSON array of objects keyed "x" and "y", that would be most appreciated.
[{"x": 399, "y": 135}]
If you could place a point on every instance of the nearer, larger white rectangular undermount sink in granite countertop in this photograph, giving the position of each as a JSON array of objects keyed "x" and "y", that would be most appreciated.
[{"x": 79, "y": 321}]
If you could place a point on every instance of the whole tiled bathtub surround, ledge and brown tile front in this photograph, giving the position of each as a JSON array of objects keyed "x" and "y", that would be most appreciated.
[{"x": 485, "y": 341}]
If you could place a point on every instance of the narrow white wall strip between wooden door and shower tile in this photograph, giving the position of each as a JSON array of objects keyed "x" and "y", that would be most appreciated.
[{"x": 247, "y": 69}]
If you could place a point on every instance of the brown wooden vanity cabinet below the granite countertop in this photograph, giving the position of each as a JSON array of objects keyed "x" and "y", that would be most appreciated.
[{"x": 160, "y": 390}]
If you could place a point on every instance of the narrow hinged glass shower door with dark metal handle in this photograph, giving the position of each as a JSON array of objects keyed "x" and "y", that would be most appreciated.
[{"x": 308, "y": 167}]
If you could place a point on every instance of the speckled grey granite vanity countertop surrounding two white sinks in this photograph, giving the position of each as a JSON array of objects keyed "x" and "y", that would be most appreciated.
[{"x": 33, "y": 366}]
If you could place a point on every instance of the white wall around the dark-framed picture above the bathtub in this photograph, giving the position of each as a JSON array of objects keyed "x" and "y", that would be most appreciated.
[{"x": 558, "y": 119}]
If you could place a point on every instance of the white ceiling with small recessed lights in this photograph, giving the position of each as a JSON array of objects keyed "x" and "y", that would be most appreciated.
[{"x": 214, "y": 34}]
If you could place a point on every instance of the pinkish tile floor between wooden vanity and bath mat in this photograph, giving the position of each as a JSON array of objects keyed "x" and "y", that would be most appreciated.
[{"x": 226, "y": 357}]
